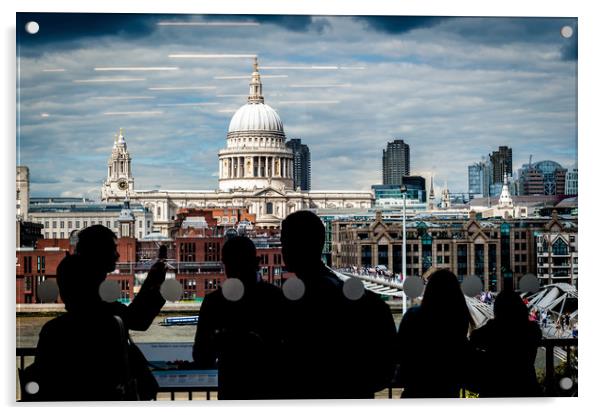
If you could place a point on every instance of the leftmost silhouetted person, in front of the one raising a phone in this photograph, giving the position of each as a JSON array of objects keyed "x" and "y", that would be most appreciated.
[{"x": 79, "y": 355}]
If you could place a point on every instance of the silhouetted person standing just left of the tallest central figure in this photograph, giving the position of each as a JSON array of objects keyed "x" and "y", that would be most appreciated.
[{"x": 242, "y": 338}]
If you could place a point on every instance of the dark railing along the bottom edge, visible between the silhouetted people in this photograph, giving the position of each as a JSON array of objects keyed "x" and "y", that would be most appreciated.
[{"x": 550, "y": 384}]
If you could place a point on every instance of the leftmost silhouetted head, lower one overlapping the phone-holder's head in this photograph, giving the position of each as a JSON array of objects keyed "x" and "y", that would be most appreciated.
[{"x": 77, "y": 286}]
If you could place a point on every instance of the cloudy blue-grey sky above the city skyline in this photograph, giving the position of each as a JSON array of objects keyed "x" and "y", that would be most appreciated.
[{"x": 453, "y": 88}]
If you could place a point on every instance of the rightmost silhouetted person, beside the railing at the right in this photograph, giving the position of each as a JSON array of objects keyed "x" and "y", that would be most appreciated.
[{"x": 509, "y": 344}]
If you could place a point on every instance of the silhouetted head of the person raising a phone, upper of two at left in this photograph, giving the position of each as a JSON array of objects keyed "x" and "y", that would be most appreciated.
[{"x": 97, "y": 245}]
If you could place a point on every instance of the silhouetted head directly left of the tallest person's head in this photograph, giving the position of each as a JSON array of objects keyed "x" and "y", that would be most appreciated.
[{"x": 240, "y": 259}]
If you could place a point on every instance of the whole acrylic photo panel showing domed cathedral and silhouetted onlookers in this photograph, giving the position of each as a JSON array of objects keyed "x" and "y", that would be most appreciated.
[{"x": 295, "y": 206}]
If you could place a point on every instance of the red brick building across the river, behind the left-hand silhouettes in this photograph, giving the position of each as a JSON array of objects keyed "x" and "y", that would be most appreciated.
[{"x": 195, "y": 260}]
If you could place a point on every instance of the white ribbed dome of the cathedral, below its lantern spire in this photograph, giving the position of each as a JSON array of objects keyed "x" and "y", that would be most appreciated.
[{"x": 255, "y": 116}]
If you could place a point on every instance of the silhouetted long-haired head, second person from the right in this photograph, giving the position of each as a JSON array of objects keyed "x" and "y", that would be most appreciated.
[{"x": 444, "y": 301}]
